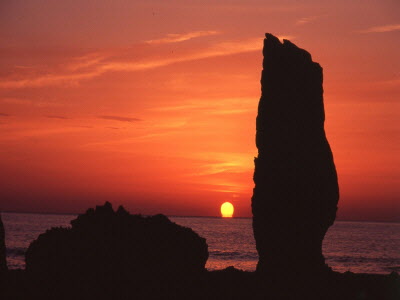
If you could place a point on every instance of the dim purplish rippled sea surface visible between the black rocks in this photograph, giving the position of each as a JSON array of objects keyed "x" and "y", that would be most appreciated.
[{"x": 360, "y": 247}]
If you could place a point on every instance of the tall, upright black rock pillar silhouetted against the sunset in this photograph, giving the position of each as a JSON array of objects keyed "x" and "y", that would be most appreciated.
[{"x": 296, "y": 189}]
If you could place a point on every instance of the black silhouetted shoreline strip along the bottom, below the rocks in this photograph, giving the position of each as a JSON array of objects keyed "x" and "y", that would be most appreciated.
[{"x": 229, "y": 283}]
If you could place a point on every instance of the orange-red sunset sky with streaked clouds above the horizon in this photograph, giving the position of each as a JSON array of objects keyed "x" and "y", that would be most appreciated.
[{"x": 152, "y": 104}]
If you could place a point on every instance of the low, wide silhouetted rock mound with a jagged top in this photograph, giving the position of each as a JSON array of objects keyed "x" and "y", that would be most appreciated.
[{"x": 103, "y": 244}]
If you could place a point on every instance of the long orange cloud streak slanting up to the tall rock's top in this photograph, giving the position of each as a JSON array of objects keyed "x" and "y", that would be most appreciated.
[{"x": 96, "y": 69}]
